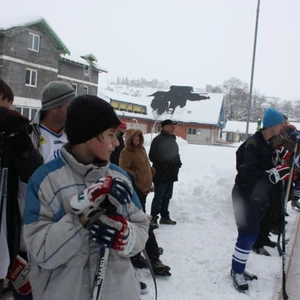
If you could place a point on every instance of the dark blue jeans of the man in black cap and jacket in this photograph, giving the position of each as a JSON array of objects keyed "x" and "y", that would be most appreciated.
[{"x": 162, "y": 195}]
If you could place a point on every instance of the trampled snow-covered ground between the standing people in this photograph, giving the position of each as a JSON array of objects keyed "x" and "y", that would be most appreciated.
[{"x": 200, "y": 246}]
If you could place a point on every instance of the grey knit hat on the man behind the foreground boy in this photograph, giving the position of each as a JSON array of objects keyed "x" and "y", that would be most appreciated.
[{"x": 55, "y": 94}]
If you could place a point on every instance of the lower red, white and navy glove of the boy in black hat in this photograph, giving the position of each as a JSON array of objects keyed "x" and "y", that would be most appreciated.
[{"x": 112, "y": 231}]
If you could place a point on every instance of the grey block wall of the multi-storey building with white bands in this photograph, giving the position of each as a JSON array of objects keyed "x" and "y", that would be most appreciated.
[{"x": 16, "y": 58}]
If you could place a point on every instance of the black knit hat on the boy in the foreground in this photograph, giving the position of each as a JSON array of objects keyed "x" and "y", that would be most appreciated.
[{"x": 87, "y": 116}]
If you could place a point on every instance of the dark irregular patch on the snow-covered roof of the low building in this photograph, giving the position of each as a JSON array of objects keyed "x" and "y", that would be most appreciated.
[{"x": 176, "y": 96}]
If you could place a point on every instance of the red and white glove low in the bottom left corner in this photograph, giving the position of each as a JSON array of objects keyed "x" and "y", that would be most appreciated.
[{"x": 19, "y": 276}]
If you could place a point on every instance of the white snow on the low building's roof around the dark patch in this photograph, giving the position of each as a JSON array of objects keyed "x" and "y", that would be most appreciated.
[{"x": 201, "y": 112}]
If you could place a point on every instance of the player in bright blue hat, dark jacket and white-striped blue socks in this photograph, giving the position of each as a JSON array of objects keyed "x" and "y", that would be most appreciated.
[{"x": 251, "y": 191}]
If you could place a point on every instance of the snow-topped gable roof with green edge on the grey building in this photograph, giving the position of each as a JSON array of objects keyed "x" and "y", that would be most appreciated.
[{"x": 10, "y": 25}]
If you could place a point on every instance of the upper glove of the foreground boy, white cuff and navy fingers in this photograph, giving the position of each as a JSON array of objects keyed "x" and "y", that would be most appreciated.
[{"x": 92, "y": 199}]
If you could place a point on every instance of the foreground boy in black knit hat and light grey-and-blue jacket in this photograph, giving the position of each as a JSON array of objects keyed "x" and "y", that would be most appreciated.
[{"x": 63, "y": 236}]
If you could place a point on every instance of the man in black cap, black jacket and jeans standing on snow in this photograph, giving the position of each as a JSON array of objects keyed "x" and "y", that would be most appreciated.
[{"x": 164, "y": 154}]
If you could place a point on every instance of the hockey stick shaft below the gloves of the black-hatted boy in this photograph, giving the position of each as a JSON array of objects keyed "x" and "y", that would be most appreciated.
[{"x": 100, "y": 273}]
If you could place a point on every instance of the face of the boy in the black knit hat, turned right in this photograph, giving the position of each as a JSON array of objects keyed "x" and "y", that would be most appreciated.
[{"x": 104, "y": 144}]
